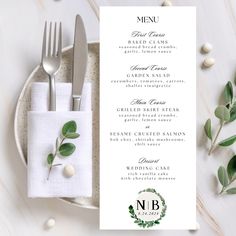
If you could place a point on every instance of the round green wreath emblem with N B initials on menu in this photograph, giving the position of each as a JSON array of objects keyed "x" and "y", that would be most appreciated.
[{"x": 146, "y": 218}]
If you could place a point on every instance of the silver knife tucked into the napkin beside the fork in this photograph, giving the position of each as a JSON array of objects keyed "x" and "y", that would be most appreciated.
[{"x": 80, "y": 57}]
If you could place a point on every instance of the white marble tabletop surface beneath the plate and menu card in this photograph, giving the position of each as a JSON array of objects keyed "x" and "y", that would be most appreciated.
[{"x": 21, "y": 27}]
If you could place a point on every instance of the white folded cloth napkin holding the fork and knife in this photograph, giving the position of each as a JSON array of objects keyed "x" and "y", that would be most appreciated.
[{"x": 43, "y": 129}]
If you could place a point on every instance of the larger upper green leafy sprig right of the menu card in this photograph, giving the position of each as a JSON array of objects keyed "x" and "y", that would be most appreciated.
[{"x": 225, "y": 113}]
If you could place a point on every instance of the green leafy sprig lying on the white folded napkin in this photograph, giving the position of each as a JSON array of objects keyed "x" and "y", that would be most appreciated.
[{"x": 62, "y": 149}]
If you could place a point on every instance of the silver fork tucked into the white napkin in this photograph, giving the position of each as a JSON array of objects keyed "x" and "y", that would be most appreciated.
[{"x": 51, "y": 59}]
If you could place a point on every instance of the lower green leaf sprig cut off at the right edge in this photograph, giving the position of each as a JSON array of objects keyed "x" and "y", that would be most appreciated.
[{"x": 228, "y": 176}]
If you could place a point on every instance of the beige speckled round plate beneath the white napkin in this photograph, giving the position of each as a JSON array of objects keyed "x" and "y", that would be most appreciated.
[{"x": 64, "y": 75}]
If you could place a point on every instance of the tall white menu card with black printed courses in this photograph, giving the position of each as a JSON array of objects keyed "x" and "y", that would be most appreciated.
[{"x": 148, "y": 118}]
